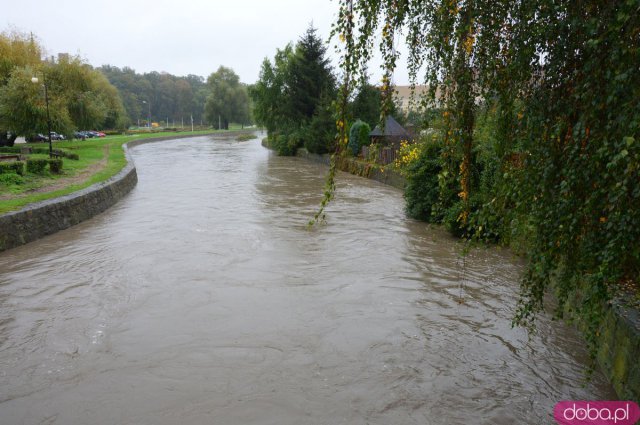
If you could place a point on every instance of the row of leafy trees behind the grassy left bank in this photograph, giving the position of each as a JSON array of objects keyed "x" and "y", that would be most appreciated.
[{"x": 82, "y": 97}]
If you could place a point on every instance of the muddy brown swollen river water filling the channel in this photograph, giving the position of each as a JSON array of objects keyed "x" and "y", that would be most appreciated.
[{"x": 201, "y": 298}]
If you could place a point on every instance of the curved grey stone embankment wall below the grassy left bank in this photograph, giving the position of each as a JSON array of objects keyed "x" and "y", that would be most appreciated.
[{"x": 47, "y": 217}]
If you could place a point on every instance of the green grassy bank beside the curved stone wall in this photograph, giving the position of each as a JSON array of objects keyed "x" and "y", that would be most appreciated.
[{"x": 99, "y": 159}]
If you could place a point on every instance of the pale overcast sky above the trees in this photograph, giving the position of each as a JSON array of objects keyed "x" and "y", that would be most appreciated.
[{"x": 178, "y": 37}]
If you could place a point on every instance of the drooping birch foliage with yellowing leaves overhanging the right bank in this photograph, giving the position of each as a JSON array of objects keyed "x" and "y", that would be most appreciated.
[{"x": 531, "y": 134}]
